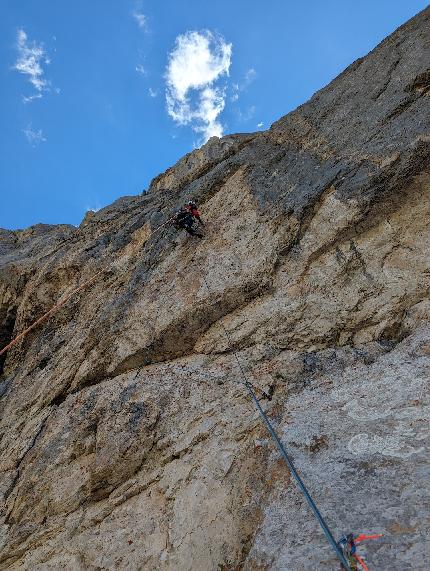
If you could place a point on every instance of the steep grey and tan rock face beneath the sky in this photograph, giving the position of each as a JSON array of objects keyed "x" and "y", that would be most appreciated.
[{"x": 128, "y": 440}]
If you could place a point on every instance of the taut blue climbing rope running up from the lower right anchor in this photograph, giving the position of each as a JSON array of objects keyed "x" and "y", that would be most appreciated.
[{"x": 338, "y": 551}]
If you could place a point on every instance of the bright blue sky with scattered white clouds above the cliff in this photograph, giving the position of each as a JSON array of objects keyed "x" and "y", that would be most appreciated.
[{"x": 99, "y": 96}]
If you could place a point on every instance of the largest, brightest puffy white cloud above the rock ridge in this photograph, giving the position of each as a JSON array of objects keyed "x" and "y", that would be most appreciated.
[{"x": 197, "y": 61}]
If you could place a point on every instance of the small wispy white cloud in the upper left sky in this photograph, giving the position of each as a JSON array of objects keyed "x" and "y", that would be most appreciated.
[{"x": 31, "y": 58}]
